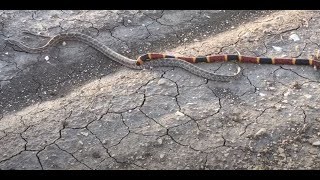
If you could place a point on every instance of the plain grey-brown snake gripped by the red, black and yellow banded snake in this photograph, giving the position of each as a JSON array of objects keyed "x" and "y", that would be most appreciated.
[{"x": 130, "y": 63}]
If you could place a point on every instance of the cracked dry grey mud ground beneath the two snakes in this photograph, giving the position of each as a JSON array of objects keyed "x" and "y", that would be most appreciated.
[{"x": 73, "y": 108}]
